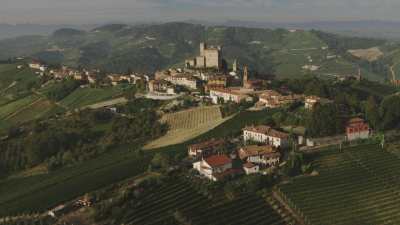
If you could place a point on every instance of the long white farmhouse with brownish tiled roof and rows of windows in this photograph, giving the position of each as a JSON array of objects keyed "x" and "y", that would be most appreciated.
[{"x": 265, "y": 134}]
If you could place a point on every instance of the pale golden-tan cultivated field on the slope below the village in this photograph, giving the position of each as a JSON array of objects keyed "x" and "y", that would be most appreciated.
[{"x": 188, "y": 124}]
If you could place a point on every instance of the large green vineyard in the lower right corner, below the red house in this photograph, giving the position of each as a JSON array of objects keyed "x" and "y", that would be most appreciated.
[{"x": 358, "y": 186}]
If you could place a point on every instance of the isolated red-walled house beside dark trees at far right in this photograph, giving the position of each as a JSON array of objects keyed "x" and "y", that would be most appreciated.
[{"x": 357, "y": 128}]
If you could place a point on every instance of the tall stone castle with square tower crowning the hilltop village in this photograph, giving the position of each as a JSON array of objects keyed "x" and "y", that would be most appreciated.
[{"x": 209, "y": 58}]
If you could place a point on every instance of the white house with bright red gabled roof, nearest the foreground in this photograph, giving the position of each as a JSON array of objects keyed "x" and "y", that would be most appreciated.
[{"x": 215, "y": 167}]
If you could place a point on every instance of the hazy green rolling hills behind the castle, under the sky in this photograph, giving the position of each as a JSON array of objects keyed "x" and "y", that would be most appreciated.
[{"x": 147, "y": 48}]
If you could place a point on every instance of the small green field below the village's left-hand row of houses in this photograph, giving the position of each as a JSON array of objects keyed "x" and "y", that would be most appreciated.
[{"x": 87, "y": 96}]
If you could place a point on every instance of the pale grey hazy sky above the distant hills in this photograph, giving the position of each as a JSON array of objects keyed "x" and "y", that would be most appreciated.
[{"x": 103, "y": 11}]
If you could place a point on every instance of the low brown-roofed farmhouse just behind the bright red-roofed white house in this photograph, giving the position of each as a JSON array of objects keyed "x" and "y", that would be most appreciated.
[{"x": 205, "y": 149}]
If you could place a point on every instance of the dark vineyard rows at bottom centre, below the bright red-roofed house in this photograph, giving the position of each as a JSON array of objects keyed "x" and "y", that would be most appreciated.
[{"x": 177, "y": 201}]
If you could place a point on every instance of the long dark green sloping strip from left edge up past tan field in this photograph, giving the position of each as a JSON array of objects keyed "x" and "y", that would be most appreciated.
[{"x": 45, "y": 191}]
